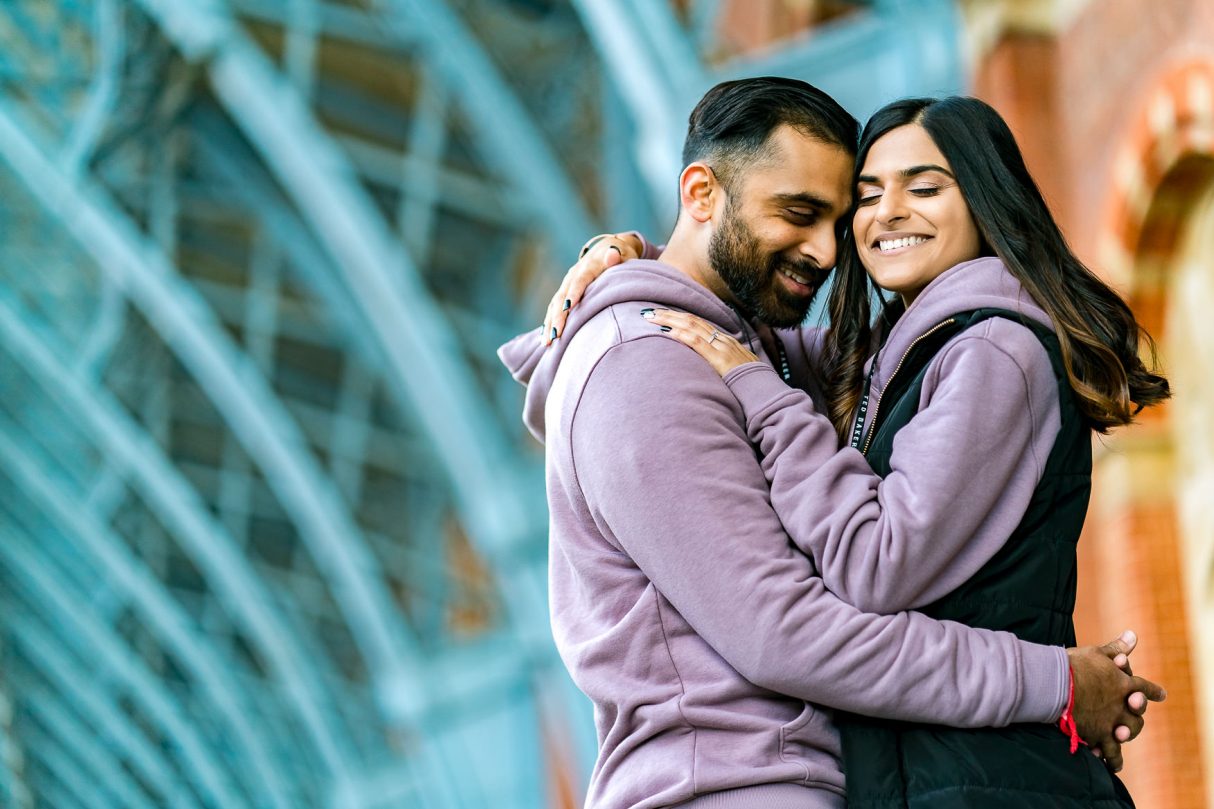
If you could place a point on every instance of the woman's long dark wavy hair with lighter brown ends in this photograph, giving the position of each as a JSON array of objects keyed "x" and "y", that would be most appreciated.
[{"x": 1097, "y": 331}]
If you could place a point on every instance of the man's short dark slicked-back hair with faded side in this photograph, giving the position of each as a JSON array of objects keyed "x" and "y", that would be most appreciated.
[{"x": 731, "y": 126}]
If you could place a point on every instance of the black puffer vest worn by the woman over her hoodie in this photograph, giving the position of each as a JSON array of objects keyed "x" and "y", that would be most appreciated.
[{"x": 1029, "y": 590}]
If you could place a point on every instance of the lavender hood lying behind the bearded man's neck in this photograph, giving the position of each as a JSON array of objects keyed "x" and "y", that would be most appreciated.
[{"x": 642, "y": 282}]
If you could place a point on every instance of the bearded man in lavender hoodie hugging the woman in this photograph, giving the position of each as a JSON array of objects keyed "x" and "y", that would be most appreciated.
[{"x": 706, "y": 642}]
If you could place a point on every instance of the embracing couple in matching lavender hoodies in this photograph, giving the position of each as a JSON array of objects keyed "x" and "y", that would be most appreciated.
[{"x": 782, "y": 556}]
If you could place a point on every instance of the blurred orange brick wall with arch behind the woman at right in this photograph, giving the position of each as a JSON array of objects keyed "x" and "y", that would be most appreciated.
[{"x": 1115, "y": 114}]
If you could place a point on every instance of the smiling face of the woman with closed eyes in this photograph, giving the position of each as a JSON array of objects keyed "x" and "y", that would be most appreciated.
[{"x": 912, "y": 223}]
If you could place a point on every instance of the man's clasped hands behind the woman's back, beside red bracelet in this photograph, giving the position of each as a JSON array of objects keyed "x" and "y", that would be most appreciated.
[{"x": 1110, "y": 701}]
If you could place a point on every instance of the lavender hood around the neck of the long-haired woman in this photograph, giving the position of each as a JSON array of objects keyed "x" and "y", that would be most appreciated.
[{"x": 982, "y": 284}]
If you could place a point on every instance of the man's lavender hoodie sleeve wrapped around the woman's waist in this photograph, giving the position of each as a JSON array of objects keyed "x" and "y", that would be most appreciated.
[{"x": 663, "y": 463}]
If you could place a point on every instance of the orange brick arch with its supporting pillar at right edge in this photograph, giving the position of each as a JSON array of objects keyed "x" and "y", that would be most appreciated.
[{"x": 1136, "y": 570}]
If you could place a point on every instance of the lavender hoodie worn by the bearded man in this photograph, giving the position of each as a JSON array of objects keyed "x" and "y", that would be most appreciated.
[{"x": 679, "y": 604}]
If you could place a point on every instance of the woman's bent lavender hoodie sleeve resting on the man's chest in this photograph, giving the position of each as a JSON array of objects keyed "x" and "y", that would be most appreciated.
[{"x": 963, "y": 472}]
